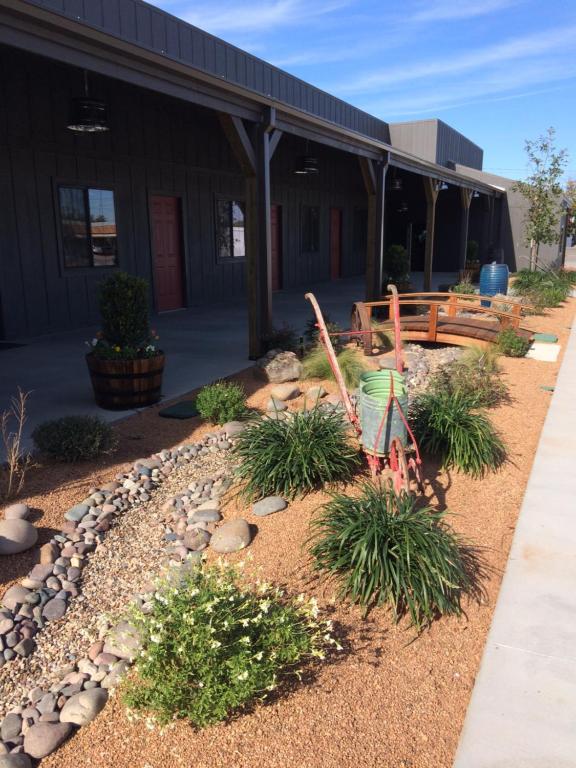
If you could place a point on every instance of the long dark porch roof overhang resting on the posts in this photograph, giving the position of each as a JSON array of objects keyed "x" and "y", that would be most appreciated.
[{"x": 48, "y": 33}]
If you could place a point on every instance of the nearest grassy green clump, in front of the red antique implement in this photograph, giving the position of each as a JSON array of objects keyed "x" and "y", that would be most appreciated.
[{"x": 382, "y": 549}]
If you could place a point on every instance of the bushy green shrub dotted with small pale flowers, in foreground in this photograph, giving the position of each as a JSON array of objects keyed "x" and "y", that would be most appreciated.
[{"x": 212, "y": 646}]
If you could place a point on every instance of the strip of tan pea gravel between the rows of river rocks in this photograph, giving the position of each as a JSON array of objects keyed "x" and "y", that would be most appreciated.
[{"x": 130, "y": 556}]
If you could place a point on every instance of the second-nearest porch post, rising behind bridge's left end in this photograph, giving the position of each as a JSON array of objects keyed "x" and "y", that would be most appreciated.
[{"x": 374, "y": 175}]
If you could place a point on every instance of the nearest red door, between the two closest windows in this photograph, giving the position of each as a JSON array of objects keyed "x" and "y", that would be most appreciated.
[{"x": 167, "y": 252}]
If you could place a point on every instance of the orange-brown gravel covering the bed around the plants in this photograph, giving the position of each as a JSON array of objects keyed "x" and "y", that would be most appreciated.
[{"x": 388, "y": 702}]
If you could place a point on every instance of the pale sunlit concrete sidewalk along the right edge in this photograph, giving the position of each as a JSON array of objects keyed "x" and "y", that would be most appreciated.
[{"x": 523, "y": 708}]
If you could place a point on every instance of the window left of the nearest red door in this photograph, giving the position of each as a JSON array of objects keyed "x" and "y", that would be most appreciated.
[{"x": 88, "y": 221}]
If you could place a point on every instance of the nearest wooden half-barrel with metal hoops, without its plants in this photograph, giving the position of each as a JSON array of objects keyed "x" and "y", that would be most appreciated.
[{"x": 120, "y": 385}]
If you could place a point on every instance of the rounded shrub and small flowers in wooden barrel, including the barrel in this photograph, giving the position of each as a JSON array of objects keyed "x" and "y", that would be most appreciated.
[{"x": 124, "y": 362}]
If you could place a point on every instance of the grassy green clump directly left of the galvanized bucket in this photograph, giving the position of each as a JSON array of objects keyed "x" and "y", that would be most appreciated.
[{"x": 293, "y": 456}]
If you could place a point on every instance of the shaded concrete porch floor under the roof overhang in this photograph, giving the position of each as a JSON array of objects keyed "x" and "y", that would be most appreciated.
[{"x": 201, "y": 345}]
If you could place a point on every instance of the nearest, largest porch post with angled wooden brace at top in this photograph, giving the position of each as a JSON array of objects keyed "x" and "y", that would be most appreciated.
[{"x": 254, "y": 159}]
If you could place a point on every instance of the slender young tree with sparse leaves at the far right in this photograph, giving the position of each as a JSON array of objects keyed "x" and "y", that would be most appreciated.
[{"x": 543, "y": 191}]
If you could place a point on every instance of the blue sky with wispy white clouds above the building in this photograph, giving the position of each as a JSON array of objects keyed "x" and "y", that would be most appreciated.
[{"x": 500, "y": 71}]
